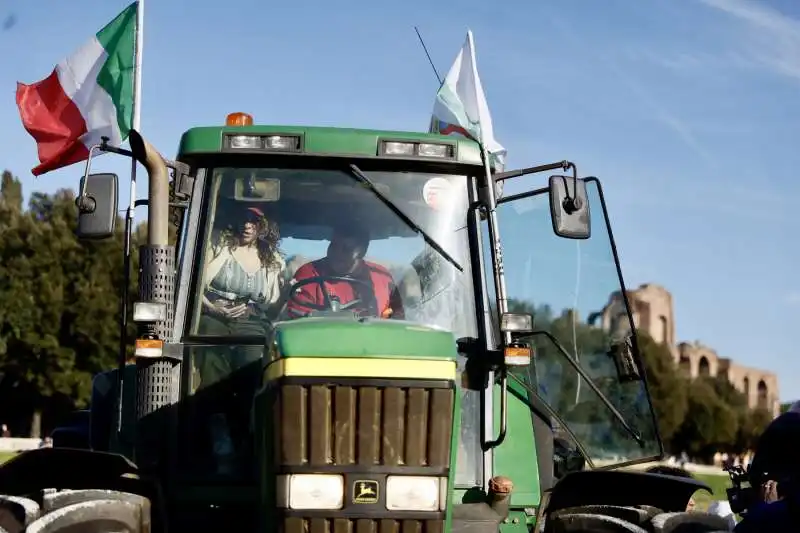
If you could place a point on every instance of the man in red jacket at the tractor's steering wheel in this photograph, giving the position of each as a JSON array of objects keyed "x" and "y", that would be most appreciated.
[{"x": 356, "y": 285}]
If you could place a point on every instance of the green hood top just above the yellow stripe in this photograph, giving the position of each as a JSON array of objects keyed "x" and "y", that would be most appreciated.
[{"x": 335, "y": 337}]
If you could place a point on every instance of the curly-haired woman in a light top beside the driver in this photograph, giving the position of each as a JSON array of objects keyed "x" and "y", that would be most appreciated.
[{"x": 242, "y": 282}]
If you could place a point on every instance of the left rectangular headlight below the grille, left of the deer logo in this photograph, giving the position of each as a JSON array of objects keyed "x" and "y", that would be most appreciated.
[{"x": 310, "y": 491}]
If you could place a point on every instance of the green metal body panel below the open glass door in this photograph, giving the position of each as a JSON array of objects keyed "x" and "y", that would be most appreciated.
[{"x": 516, "y": 458}]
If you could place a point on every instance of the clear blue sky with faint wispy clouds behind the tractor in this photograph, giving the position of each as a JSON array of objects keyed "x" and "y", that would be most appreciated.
[{"x": 687, "y": 111}]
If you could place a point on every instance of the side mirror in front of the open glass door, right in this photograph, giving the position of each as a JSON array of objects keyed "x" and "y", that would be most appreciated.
[{"x": 569, "y": 207}]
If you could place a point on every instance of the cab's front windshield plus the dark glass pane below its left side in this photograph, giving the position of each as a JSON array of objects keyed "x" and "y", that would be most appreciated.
[{"x": 257, "y": 226}]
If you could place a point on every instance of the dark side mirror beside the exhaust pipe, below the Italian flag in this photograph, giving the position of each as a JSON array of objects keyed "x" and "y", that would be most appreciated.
[{"x": 97, "y": 209}]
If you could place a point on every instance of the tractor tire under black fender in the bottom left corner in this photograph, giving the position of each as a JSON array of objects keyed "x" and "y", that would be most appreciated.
[{"x": 76, "y": 511}]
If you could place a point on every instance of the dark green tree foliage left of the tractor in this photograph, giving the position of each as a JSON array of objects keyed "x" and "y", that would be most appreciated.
[{"x": 59, "y": 308}]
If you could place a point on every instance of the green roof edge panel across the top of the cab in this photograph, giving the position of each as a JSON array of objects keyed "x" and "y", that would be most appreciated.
[{"x": 322, "y": 141}]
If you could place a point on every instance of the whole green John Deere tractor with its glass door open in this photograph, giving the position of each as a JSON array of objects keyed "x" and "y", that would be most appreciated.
[{"x": 460, "y": 410}]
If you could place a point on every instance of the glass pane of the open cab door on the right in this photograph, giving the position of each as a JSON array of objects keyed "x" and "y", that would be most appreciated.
[{"x": 572, "y": 289}]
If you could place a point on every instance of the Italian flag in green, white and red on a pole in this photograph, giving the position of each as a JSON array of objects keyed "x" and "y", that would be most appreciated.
[{"x": 89, "y": 95}]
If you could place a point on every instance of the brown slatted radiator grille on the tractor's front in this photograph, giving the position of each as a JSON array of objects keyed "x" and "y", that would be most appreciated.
[{"x": 324, "y": 424}]
